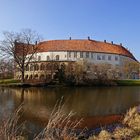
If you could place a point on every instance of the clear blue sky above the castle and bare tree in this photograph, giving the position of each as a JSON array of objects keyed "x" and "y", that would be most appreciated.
[{"x": 113, "y": 20}]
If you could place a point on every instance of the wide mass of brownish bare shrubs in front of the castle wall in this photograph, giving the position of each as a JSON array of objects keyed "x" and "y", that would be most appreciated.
[{"x": 83, "y": 71}]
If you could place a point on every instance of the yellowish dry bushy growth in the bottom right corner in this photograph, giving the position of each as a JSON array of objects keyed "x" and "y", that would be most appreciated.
[{"x": 129, "y": 131}]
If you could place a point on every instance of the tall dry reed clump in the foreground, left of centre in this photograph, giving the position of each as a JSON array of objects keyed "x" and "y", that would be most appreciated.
[{"x": 60, "y": 126}]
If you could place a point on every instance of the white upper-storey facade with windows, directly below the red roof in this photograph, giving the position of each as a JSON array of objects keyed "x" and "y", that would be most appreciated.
[{"x": 92, "y": 57}]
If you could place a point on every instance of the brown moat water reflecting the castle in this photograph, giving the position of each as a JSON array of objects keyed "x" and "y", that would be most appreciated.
[{"x": 86, "y": 102}]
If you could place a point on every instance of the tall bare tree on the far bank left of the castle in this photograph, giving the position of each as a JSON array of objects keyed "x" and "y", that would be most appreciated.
[{"x": 21, "y": 46}]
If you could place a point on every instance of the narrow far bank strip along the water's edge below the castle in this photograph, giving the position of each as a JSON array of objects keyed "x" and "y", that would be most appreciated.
[{"x": 112, "y": 83}]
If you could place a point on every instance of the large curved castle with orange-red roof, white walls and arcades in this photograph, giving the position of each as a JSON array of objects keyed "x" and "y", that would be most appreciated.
[{"x": 70, "y": 51}]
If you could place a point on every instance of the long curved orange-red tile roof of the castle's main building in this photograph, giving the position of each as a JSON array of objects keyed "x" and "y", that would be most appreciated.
[{"x": 83, "y": 45}]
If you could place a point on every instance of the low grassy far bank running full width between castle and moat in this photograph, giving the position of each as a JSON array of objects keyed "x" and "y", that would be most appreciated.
[{"x": 13, "y": 82}]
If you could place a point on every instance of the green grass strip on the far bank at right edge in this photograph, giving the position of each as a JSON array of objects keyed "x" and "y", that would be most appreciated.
[{"x": 128, "y": 82}]
